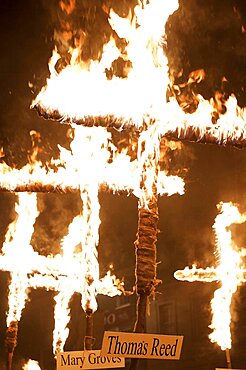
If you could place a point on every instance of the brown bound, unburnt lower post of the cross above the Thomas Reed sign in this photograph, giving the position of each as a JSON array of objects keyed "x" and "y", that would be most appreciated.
[{"x": 145, "y": 249}]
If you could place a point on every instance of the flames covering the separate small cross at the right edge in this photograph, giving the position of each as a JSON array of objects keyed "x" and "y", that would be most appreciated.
[{"x": 230, "y": 272}]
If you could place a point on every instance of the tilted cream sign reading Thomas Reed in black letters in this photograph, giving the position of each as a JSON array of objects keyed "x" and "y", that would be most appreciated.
[{"x": 163, "y": 347}]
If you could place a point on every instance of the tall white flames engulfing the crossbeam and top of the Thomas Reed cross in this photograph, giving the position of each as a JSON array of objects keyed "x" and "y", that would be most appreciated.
[{"x": 82, "y": 93}]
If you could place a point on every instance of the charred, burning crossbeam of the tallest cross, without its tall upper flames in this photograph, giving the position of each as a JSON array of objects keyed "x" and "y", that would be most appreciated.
[{"x": 205, "y": 125}]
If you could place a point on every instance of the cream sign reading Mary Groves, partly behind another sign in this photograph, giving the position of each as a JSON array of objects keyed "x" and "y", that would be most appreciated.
[{"x": 78, "y": 360}]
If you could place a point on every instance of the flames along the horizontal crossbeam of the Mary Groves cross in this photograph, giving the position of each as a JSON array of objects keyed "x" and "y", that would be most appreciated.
[{"x": 70, "y": 171}]
